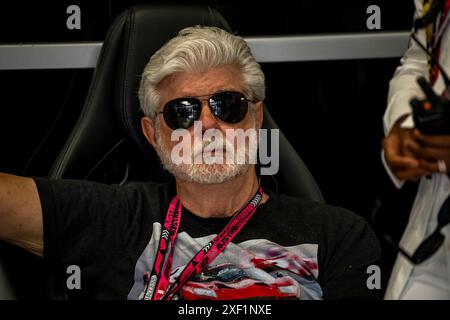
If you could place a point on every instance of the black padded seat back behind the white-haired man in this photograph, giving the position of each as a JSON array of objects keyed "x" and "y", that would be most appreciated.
[{"x": 107, "y": 143}]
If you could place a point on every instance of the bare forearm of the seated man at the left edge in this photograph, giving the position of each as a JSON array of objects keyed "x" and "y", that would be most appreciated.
[{"x": 21, "y": 213}]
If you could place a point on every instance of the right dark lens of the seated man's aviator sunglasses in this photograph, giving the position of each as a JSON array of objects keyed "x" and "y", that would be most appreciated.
[{"x": 229, "y": 106}]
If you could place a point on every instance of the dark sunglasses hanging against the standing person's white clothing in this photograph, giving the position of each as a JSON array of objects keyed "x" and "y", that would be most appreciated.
[{"x": 433, "y": 242}]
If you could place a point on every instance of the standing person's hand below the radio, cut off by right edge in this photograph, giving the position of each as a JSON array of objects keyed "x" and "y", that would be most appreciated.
[{"x": 429, "y": 149}]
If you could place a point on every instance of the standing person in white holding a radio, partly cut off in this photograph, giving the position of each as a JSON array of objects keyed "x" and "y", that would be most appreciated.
[{"x": 422, "y": 268}]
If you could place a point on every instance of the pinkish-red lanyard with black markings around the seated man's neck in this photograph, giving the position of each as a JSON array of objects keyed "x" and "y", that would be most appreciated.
[{"x": 157, "y": 283}]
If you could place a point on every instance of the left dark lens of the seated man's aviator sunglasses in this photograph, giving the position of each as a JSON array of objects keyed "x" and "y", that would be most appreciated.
[{"x": 181, "y": 113}]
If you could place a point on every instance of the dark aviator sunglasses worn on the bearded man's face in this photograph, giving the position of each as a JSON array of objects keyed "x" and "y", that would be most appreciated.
[{"x": 228, "y": 106}]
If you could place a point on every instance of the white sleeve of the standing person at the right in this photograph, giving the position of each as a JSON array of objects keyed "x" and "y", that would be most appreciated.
[{"x": 403, "y": 85}]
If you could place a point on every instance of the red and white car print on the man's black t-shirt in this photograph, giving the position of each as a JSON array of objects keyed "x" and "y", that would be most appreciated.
[{"x": 251, "y": 269}]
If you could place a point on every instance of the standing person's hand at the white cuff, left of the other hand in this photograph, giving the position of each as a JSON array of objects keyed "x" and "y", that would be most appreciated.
[{"x": 404, "y": 163}]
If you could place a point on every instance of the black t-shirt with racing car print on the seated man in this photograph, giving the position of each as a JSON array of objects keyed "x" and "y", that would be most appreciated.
[{"x": 290, "y": 248}]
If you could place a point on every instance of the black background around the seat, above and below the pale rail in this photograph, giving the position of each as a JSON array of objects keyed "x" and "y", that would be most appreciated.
[{"x": 331, "y": 111}]
